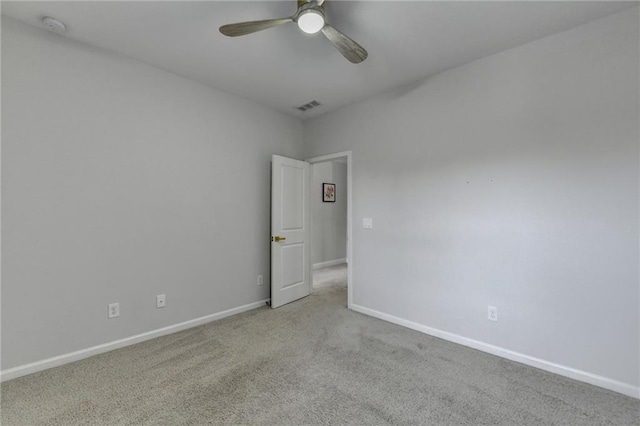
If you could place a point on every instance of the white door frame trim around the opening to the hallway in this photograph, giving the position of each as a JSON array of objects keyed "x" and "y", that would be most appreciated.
[{"x": 322, "y": 159}]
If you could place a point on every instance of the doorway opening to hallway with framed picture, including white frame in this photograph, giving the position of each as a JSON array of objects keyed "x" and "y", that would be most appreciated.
[{"x": 330, "y": 212}]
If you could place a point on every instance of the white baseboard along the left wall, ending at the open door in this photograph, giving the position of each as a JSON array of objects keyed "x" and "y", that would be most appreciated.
[{"x": 34, "y": 367}]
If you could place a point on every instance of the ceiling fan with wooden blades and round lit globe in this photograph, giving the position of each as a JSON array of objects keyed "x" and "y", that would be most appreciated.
[{"x": 310, "y": 19}]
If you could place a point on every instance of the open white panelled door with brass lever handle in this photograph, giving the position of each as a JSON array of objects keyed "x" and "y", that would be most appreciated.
[{"x": 290, "y": 272}]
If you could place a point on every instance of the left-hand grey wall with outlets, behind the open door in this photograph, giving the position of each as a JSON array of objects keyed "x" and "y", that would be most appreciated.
[{"x": 121, "y": 181}]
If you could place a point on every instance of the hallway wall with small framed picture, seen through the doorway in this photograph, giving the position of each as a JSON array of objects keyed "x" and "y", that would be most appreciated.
[{"x": 328, "y": 220}]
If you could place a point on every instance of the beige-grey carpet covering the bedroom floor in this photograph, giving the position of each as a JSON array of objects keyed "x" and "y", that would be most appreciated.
[{"x": 309, "y": 362}]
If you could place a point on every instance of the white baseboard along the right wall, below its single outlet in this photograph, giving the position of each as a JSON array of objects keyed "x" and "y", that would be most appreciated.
[{"x": 572, "y": 373}]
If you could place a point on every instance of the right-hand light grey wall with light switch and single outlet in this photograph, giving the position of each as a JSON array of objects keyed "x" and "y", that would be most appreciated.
[{"x": 511, "y": 181}]
